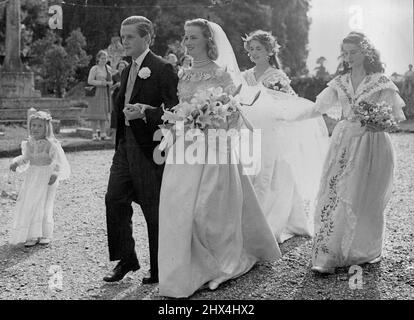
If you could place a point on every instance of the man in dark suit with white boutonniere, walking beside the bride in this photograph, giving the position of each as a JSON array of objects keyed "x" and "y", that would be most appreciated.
[{"x": 146, "y": 84}]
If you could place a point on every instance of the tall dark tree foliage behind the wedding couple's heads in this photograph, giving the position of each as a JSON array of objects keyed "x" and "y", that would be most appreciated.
[{"x": 101, "y": 19}]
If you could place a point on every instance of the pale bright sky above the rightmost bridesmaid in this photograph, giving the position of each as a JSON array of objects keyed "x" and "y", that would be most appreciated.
[{"x": 389, "y": 24}]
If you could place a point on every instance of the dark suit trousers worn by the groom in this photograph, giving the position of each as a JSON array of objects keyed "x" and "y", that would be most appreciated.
[{"x": 133, "y": 177}]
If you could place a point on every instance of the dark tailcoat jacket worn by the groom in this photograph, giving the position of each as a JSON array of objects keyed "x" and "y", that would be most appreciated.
[{"x": 160, "y": 88}]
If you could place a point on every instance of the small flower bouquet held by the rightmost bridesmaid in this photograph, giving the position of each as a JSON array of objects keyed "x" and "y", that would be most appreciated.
[{"x": 379, "y": 115}]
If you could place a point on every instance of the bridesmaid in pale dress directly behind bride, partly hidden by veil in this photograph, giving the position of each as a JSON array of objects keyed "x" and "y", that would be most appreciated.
[{"x": 293, "y": 153}]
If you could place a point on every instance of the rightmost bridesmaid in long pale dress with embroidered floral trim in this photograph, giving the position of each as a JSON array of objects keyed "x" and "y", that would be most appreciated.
[{"x": 357, "y": 179}]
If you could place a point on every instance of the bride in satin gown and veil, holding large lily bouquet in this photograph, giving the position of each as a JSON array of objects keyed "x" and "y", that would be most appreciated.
[{"x": 212, "y": 228}]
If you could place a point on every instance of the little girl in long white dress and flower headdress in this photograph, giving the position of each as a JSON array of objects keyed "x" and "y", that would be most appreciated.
[{"x": 45, "y": 164}]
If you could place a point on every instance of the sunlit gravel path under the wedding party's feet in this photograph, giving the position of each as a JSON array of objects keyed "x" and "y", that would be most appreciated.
[{"x": 79, "y": 249}]
